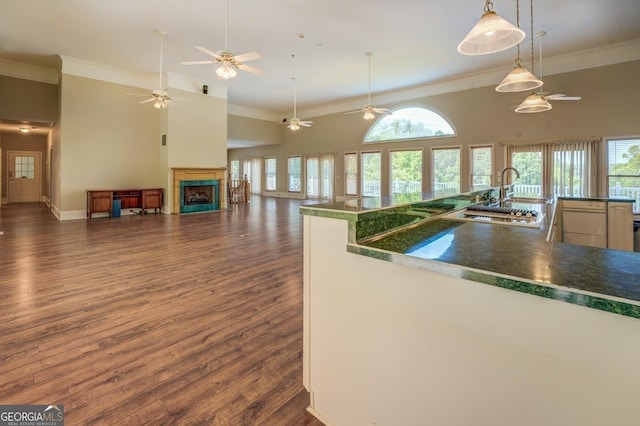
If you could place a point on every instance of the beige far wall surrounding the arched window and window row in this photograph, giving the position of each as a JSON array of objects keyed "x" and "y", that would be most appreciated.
[{"x": 609, "y": 107}]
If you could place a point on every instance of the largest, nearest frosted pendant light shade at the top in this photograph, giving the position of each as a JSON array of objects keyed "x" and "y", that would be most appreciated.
[{"x": 490, "y": 35}]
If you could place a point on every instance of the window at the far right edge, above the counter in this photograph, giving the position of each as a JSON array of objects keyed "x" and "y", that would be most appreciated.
[{"x": 623, "y": 169}]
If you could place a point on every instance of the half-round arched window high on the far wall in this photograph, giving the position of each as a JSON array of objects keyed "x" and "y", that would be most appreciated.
[{"x": 409, "y": 123}]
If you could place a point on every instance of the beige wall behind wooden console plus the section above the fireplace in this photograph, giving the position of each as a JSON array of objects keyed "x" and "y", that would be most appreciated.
[{"x": 108, "y": 140}]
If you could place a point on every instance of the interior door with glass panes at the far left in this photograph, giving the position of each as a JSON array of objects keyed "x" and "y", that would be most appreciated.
[{"x": 25, "y": 177}]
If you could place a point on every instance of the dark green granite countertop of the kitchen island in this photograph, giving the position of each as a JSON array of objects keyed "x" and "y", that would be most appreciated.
[{"x": 506, "y": 256}]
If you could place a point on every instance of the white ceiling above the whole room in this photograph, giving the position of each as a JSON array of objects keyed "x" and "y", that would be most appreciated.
[{"x": 322, "y": 43}]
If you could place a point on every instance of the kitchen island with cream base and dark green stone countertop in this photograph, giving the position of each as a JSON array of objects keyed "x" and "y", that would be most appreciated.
[{"x": 411, "y": 318}]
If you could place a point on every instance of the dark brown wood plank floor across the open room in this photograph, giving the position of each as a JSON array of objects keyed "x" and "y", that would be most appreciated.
[{"x": 155, "y": 319}]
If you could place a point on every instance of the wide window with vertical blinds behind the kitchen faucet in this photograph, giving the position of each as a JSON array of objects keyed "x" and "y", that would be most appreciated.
[{"x": 554, "y": 169}]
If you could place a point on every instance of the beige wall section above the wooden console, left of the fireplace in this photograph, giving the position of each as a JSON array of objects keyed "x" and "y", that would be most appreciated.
[{"x": 107, "y": 140}]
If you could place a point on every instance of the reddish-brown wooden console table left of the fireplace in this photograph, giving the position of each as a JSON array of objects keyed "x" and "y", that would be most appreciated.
[{"x": 101, "y": 200}]
